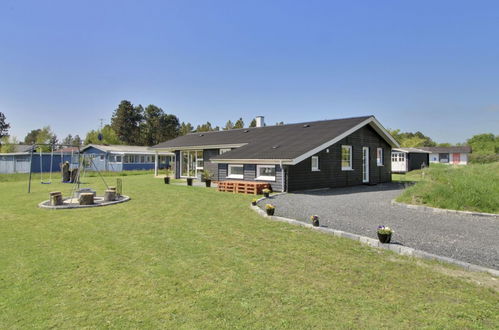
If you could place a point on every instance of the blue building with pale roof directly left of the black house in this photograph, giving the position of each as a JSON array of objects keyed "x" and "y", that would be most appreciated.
[{"x": 119, "y": 158}]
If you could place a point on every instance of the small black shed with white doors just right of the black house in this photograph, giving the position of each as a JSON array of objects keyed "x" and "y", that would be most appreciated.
[{"x": 409, "y": 159}]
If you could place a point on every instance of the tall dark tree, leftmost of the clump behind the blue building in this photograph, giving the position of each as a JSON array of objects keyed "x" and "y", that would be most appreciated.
[{"x": 126, "y": 122}]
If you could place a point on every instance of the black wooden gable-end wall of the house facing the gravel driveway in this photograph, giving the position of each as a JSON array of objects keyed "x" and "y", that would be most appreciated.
[{"x": 331, "y": 175}]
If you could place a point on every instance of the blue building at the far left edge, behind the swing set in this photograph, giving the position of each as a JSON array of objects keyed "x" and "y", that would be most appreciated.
[{"x": 21, "y": 160}]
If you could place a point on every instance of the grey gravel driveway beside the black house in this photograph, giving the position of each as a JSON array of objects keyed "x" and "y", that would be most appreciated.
[{"x": 361, "y": 209}]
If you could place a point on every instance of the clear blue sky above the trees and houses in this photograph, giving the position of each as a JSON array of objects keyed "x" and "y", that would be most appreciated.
[{"x": 431, "y": 66}]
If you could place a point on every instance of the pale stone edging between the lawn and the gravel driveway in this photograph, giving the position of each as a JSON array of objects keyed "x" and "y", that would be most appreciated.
[{"x": 400, "y": 249}]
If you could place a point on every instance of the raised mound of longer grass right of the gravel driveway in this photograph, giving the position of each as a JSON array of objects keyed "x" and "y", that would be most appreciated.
[{"x": 474, "y": 187}]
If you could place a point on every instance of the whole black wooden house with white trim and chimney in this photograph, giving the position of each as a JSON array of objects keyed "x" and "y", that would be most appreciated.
[{"x": 321, "y": 154}]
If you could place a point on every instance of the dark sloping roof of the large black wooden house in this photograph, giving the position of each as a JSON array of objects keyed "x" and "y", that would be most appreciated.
[{"x": 269, "y": 142}]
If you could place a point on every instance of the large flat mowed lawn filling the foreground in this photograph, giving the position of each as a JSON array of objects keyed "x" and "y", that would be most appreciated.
[{"x": 189, "y": 257}]
